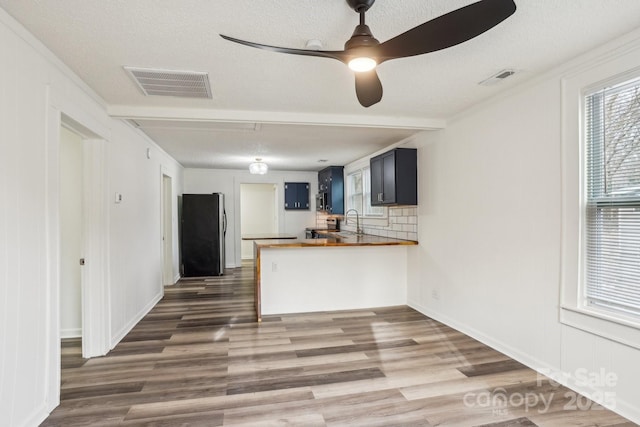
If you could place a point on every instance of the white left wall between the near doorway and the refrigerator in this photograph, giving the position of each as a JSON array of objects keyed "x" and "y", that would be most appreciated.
[{"x": 136, "y": 225}]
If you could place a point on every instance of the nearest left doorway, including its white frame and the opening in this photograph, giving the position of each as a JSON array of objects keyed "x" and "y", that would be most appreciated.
[{"x": 78, "y": 299}]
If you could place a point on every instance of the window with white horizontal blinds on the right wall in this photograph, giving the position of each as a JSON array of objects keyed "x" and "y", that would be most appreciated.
[{"x": 612, "y": 210}]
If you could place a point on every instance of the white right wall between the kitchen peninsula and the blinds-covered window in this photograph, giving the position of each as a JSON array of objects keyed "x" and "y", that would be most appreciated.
[{"x": 489, "y": 260}]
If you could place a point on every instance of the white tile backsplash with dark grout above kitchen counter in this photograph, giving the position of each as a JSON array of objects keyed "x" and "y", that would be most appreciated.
[{"x": 401, "y": 223}]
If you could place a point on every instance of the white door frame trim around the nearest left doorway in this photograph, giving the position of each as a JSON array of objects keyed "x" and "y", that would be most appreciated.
[{"x": 96, "y": 306}]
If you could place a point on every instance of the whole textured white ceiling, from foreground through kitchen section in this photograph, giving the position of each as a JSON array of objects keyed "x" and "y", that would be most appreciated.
[{"x": 96, "y": 38}]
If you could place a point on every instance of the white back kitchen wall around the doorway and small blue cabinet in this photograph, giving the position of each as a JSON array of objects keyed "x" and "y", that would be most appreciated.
[{"x": 202, "y": 181}]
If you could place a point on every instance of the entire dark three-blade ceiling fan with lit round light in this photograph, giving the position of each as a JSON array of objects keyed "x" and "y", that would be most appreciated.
[{"x": 362, "y": 52}]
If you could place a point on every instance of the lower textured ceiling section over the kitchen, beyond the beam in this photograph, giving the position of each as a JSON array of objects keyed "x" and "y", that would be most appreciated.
[{"x": 283, "y": 147}]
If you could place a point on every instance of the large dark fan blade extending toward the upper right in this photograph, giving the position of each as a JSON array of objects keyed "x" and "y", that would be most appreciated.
[{"x": 448, "y": 30}]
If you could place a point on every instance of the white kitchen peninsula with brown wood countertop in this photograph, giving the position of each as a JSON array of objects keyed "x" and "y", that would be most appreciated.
[{"x": 339, "y": 272}]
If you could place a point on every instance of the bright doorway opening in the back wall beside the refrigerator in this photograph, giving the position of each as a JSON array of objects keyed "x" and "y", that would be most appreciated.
[{"x": 258, "y": 213}]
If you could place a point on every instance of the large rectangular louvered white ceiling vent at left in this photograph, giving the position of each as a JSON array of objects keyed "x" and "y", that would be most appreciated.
[{"x": 186, "y": 84}]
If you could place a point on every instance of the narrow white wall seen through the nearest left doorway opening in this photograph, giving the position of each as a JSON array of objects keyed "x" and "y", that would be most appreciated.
[{"x": 71, "y": 220}]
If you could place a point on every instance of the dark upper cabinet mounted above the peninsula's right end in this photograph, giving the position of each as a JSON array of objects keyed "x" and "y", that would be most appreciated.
[{"x": 394, "y": 177}]
